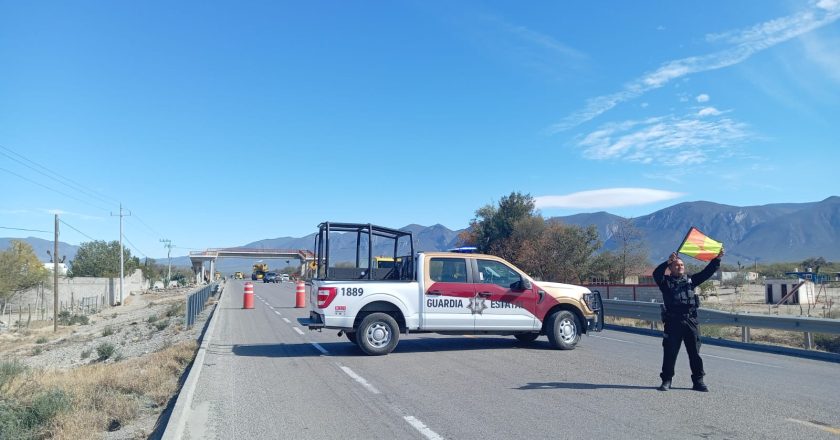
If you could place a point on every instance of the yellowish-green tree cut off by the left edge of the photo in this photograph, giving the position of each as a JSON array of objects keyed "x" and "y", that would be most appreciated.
[{"x": 20, "y": 270}]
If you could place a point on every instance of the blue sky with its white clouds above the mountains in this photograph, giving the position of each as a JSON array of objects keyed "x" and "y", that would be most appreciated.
[{"x": 220, "y": 123}]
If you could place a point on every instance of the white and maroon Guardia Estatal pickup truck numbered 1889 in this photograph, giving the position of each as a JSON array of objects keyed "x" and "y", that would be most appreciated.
[{"x": 441, "y": 292}]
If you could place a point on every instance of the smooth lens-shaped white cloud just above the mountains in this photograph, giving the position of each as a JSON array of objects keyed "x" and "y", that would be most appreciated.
[{"x": 606, "y": 198}]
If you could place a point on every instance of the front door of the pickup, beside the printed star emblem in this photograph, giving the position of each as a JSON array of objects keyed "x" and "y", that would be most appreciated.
[{"x": 507, "y": 306}]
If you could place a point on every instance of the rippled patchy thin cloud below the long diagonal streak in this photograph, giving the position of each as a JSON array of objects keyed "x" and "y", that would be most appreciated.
[{"x": 687, "y": 140}]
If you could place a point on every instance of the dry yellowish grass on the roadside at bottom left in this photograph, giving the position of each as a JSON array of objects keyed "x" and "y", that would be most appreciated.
[{"x": 103, "y": 395}]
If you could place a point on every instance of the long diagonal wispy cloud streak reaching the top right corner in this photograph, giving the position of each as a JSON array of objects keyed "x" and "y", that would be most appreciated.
[{"x": 743, "y": 44}]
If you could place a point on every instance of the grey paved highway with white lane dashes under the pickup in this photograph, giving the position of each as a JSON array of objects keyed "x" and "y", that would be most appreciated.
[{"x": 265, "y": 377}]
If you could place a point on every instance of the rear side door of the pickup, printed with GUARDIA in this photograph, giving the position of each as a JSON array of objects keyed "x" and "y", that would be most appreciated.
[{"x": 448, "y": 295}]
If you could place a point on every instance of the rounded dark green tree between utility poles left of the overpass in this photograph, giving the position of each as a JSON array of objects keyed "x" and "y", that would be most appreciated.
[{"x": 101, "y": 259}]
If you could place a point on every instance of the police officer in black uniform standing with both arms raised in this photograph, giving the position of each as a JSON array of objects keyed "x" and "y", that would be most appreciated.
[{"x": 679, "y": 313}]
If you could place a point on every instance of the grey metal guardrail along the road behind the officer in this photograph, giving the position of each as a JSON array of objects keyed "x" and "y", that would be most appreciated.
[{"x": 650, "y": 311}]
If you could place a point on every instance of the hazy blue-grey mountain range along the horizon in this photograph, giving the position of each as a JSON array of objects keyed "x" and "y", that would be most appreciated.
[{"x": 784, "y": 232}]
